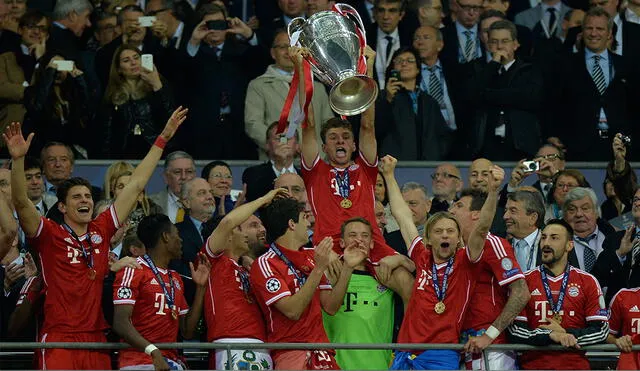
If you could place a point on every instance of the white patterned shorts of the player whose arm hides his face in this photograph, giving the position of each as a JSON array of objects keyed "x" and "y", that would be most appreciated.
[{"x": 254, "y": 359}]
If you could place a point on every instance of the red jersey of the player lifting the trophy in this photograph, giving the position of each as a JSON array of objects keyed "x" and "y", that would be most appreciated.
[{"x": 324, "y": 197}]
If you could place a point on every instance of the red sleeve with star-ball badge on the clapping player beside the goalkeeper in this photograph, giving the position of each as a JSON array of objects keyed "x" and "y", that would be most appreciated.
[{"x": 267, "y": 282}]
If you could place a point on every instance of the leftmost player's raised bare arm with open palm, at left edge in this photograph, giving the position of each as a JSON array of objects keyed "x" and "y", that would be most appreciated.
[{"x": 28, "y": 215}]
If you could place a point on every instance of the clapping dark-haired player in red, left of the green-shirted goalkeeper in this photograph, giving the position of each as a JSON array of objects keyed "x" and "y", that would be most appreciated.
[{"x": 291, "y": 287}]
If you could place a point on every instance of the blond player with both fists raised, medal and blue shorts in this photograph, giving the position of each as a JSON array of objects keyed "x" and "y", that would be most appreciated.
[{"x": 446, "y": 272}]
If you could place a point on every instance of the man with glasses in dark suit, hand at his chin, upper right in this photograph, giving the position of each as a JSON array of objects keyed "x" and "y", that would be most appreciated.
[{"x": 507, "y": 93}]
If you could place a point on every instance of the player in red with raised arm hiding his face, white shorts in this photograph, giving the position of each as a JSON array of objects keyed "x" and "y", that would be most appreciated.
[{"x": 231, "y": 310}]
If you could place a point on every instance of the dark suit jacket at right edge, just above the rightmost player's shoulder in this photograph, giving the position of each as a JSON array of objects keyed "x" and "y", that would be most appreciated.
[{"x": 610, "y": 272}]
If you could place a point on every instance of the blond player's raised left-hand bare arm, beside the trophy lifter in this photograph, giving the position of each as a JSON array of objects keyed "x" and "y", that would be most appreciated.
[{"x": 399, "y": 208}]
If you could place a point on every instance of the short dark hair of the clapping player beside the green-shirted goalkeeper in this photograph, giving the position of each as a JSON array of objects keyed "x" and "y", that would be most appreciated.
[{"x": 275, "y": 217}]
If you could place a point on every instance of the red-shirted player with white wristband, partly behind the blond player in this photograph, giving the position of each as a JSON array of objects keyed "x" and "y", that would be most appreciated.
[{"x": 498, "y": 277}]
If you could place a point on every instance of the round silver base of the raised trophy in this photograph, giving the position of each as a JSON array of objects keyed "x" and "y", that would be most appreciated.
[{"x": 353, "y": 95}]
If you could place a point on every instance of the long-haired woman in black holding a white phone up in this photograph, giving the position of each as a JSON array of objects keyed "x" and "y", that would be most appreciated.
[{"x": 137, "y": 103}]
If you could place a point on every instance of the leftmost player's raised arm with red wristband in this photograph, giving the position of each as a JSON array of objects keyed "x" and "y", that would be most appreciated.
[{"x": 125, "y": 202}]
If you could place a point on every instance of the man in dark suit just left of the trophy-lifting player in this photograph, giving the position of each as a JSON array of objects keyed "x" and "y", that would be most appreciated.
[{"x": 259, "y": 178}]
